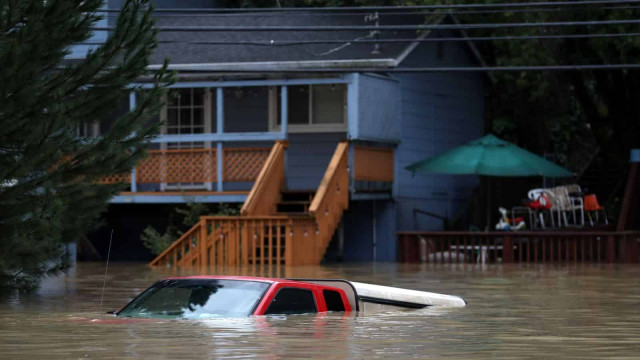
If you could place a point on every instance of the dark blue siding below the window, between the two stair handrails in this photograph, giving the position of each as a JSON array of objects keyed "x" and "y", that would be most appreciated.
[{"x": 308, "y": 157}]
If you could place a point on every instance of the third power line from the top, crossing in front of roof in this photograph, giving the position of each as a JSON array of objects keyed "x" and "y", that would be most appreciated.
[{"x": 370, "y": 41}]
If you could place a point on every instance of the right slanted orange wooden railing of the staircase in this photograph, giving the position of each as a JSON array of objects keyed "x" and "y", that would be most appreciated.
[{"x": 330, "y": 200}]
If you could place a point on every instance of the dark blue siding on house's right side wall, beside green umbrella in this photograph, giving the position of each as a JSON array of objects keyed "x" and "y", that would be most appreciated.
[{"x": 439, "y": 111}]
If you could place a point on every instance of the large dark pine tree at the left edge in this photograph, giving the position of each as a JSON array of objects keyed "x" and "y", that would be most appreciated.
[{"x": 49, "y": 176}]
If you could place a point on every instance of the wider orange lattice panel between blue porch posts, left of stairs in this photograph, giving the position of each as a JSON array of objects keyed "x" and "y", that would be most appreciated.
[{"x": 178, "y": 166}]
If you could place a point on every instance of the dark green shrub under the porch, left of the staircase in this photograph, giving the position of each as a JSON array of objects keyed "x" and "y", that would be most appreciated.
[{"x": 189, "y": 215}]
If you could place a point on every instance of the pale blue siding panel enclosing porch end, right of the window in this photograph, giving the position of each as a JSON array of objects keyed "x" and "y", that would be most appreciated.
[{"x": 379, "y": 109}]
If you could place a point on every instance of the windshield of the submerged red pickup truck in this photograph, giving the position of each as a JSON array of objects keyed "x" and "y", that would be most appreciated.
[{"x": 196, "y": 299}]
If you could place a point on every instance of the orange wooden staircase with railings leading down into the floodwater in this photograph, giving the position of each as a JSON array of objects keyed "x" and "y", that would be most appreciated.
[{"x": 276, "y": 226}]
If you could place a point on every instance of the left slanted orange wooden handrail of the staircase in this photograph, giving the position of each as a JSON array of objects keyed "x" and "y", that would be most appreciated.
[{"x": 271, "y": 176}]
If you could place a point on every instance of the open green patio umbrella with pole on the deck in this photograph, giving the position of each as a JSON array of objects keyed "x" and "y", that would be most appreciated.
[{"x": 489, "y": 156}]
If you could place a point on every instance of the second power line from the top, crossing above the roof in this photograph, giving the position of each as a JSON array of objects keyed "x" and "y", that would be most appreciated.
[{"x": 387, "y": 27}]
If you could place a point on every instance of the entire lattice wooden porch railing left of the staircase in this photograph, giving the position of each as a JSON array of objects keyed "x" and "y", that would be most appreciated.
[{"x": 196, "y": 166}]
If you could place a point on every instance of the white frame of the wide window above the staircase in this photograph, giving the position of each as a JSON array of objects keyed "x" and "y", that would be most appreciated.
[{"x": 310, "y": 127}]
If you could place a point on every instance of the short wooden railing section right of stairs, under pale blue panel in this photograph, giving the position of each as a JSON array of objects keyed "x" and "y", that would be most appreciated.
[{"x": 372, "y": 163}]
